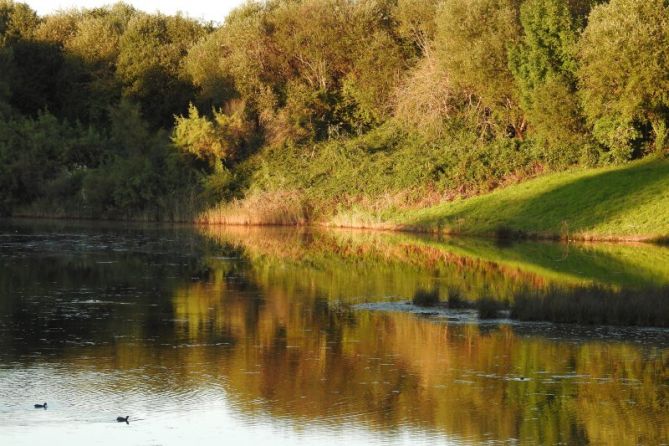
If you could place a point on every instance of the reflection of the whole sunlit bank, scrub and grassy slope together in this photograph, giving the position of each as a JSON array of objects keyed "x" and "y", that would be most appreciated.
[{"x": 358, "y": 265}]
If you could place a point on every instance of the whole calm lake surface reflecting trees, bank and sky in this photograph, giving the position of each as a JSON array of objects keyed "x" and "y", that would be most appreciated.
[{"x": 290, "y": 337}]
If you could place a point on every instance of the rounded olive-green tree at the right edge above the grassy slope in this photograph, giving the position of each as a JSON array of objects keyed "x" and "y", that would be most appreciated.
[{"x": 624, "y": 73}]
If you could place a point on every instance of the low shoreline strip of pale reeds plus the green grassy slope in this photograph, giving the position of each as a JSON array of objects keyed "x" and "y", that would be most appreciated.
[{"x": 620, "y": 203}]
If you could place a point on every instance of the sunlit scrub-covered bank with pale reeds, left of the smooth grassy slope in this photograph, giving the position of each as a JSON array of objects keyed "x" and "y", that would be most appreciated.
[{"x": 365, "y": 181}]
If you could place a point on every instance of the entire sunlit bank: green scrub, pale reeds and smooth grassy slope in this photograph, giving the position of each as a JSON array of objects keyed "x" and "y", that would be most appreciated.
[{"x": 391, "y": 180}]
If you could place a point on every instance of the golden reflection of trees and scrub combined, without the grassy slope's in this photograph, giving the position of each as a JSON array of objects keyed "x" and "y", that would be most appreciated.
[{"x": 298, "y": 352}]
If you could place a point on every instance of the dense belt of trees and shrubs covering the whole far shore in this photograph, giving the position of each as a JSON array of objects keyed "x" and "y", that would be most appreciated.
[{"x": 112, "y": 112}]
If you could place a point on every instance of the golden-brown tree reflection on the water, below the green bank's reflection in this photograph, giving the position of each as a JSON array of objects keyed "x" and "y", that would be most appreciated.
[{"x": 305, "y": 358}]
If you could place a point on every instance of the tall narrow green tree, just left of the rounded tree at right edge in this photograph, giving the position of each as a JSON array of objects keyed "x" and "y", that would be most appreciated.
[{"x": 544, "y": 66}]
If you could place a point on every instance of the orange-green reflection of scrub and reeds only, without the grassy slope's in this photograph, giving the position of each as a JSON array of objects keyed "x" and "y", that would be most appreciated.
[{"x": 357, "y": 266}]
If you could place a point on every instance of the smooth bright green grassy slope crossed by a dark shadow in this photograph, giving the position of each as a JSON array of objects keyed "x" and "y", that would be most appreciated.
[{"x": 629, "y": 202}]
